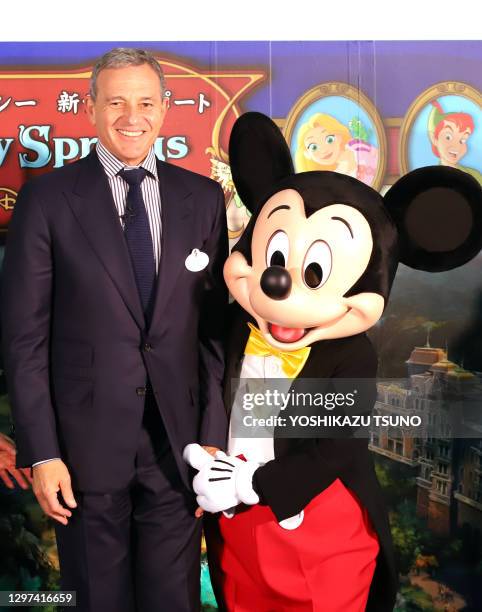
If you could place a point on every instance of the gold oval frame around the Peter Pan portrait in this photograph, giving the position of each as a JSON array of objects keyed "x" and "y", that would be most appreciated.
[{"x": 443, "y": 88}]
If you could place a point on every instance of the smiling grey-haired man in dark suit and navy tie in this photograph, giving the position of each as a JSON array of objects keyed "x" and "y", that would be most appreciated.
[{"x": 113, "y": 311}]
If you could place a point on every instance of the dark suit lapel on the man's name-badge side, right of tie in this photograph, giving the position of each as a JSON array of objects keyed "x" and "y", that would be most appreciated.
[{"x": 177, "y": 239}]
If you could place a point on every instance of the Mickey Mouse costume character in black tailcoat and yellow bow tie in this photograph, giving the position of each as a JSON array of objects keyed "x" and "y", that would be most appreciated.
[{"x": 310, "y": 275}]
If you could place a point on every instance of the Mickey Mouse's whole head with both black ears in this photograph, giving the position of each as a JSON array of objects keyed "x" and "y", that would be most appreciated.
[{"x": 318, "y": 258}]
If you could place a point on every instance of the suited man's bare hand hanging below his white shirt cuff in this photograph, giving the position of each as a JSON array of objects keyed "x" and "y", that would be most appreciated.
[{"x": 48, "y": 479}]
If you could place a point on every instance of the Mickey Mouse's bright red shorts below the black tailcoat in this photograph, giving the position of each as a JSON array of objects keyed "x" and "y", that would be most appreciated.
[{"x": 325, "y": 565}]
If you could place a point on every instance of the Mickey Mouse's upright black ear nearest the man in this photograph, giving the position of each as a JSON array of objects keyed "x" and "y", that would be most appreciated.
[{"x": 259, "y": 158}]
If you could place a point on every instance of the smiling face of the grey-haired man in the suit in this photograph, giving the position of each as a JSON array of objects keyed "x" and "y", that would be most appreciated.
[{"x": 128, "y": 111}]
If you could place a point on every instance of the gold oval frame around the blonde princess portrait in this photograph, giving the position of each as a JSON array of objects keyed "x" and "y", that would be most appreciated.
[{"x": 344, "y": 90}]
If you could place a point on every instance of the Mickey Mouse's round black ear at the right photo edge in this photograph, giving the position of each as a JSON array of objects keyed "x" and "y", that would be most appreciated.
[{"x": 438, "y": 214}]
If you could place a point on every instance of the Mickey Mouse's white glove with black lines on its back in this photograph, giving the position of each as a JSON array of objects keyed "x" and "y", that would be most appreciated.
[{"x": 222, "y": 482}]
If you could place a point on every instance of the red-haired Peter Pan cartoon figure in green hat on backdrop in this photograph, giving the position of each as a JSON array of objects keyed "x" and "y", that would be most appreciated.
[{"x": 449, "y": 134}]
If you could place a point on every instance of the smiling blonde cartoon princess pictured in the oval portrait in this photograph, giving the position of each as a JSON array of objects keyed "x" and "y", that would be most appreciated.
[{"x": 324, "y": 143}]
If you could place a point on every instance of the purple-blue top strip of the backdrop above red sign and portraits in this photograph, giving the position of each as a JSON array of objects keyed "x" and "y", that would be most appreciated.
[{"x": 392, "y": 74}]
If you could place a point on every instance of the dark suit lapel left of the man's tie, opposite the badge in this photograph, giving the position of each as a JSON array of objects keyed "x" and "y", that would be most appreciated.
[{"x": 93, "y": 206}]
